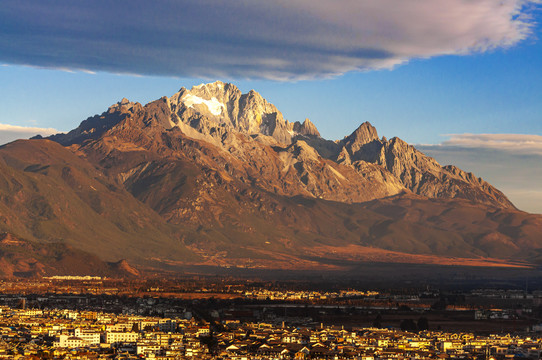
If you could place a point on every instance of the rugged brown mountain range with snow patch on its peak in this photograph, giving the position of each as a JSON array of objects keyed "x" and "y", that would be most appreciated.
[{"x": 211, "y": 176}]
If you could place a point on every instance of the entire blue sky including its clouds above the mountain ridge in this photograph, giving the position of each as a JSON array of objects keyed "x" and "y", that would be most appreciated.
[{"x": 429, "y": 71}]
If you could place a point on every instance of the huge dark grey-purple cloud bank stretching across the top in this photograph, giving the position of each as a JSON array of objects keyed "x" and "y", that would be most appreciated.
[{"x": 278, "y": 39}]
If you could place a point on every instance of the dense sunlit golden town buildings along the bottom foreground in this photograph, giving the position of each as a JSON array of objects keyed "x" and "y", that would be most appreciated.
[{"x": 71, "y": 334}]
